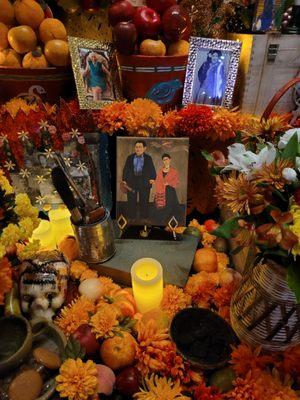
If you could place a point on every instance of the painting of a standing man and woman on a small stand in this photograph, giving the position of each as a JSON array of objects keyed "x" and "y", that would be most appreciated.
[{"x": 152, "y": 180}]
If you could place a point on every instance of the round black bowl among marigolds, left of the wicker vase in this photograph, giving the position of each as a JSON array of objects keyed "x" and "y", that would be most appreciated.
[{"x": 202, "y": 337}]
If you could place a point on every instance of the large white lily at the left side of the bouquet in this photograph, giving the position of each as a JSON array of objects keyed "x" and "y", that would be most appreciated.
[{"x": 246, "y": 161}]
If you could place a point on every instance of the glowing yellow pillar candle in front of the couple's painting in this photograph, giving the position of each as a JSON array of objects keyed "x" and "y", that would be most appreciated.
[{"x": 147, "y": 283}]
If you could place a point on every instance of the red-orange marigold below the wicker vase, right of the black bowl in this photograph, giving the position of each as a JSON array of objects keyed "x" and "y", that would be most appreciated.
[{"x": 245, "y": 359}]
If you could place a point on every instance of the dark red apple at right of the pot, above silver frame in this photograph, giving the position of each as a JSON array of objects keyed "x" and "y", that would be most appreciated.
[{"x": 175, "y": 23}]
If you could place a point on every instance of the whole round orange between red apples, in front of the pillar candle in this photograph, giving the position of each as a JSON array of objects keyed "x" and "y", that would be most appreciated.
[{"x": 118, "y": 351}]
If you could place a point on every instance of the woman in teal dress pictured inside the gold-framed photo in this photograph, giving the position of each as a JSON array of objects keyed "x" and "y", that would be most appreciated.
[{"x": 97, "y": 77}]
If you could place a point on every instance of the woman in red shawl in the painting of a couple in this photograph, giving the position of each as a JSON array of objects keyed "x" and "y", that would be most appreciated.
[{"x": 167, "y": 180}]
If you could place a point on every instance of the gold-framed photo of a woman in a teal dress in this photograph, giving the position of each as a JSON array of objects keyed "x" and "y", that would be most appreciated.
[{"x": 95, "y": 71}]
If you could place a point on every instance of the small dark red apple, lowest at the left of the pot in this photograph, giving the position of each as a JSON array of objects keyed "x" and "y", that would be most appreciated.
[{"x": 125, "y": 36}]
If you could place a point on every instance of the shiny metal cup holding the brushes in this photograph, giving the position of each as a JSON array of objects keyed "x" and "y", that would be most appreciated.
[{"x": 96, "y": 241}]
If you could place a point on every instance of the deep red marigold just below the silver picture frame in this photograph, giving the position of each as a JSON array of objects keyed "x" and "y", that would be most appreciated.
[{"x": 195, "y": 120}]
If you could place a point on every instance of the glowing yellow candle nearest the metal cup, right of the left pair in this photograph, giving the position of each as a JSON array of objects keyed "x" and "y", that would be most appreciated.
[{"x": 61, "y": 223}]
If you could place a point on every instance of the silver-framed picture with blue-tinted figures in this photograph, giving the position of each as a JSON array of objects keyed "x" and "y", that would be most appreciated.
[{"x": 211, "y": 72}]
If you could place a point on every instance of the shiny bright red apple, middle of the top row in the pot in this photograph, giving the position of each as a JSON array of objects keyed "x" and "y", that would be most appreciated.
[{"x": 147, "y": 22}]
